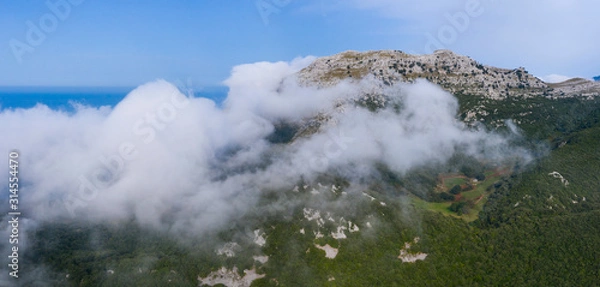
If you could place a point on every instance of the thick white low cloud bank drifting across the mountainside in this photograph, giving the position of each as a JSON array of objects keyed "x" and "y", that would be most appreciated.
[{"x": 184, "y": 164}]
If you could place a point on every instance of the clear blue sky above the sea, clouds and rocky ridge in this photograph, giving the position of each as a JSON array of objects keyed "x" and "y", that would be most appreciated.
[{"x": 130, "y": 42}]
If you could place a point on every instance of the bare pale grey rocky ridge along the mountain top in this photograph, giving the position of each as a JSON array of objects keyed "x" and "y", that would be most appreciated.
[{"x": 453, "y": 72}]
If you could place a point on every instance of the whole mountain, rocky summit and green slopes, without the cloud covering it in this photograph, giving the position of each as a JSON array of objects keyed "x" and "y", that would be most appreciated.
[{"x": 538, "y": 225}]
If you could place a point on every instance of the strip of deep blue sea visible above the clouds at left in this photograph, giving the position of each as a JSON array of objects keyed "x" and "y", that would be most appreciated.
[{"x": 63, "y": 98}]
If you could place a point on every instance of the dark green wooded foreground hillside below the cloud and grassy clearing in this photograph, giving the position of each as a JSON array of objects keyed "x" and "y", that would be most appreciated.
[{"x": 533, "y": 232}]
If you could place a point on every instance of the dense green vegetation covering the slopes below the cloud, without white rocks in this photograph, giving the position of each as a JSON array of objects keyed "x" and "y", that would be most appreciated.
[{"x": 529, "y": 229}]
